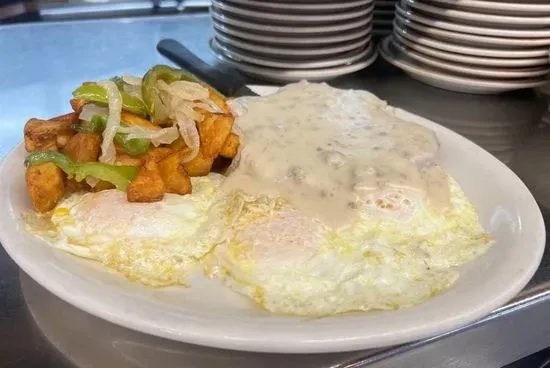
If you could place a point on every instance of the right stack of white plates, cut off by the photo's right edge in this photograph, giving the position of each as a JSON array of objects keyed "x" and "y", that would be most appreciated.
[{"x": 472, "y": 46}]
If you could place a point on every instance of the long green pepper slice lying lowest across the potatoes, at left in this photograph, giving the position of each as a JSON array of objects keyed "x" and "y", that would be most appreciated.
[{"x": 119, "y": 176}]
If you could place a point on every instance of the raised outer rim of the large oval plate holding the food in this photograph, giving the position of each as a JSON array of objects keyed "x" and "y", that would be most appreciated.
[{"x": 358, "y": 340}]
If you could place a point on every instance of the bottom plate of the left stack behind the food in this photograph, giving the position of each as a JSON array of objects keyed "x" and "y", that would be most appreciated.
[{"x": 292, "y": 75}]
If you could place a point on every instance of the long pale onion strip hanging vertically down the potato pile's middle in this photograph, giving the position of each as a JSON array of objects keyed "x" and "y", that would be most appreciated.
[{"x": 108, "y": 152}]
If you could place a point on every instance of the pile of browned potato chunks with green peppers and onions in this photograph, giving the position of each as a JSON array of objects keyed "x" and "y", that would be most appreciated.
[{"x": 143, "y": 136}]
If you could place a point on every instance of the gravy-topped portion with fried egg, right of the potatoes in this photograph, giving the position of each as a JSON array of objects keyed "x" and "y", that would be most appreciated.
[{"x": 337, "y": 205}]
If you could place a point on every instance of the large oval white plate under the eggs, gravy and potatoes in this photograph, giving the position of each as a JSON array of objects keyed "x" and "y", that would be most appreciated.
[{"x": 208, "y": 314}]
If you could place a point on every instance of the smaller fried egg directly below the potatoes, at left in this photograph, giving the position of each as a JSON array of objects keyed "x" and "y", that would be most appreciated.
[{"x": 156, "y": 244}]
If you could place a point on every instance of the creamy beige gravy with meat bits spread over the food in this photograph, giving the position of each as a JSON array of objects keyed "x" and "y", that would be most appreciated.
[{"x": 327, "y": 151}]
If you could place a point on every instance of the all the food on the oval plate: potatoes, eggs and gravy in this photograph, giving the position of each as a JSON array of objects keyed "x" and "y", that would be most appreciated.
[{"x": 310, "y": 201}]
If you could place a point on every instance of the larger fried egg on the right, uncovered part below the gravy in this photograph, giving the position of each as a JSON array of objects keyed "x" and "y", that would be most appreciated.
[{"x": 290, "y": 263}]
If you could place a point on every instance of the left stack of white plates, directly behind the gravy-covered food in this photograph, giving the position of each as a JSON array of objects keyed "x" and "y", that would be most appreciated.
[{"x": 290, "y": 41}]
